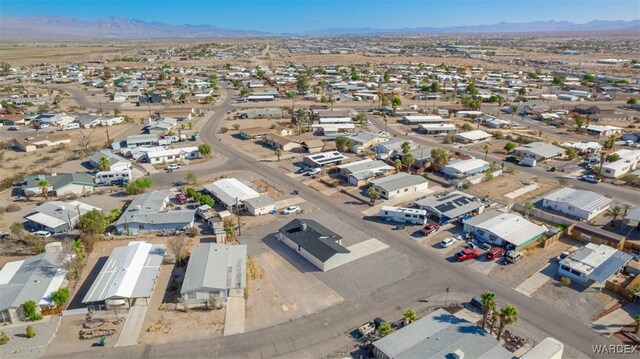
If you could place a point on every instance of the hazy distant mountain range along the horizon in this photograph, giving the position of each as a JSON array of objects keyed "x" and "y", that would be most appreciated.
[{"x": 119, "y": 28}]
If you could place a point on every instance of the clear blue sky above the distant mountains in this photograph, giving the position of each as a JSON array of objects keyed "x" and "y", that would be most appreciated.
[{"x": 308, "y": 15}]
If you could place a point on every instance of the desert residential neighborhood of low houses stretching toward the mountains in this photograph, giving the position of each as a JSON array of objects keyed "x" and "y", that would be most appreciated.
[{"x": 391, "y": 195}]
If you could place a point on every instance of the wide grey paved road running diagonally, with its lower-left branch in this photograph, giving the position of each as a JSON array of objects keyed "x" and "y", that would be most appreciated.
[{"x": 318, "y": 334}]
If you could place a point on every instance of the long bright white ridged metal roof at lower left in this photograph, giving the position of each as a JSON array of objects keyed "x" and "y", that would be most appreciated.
[{"x": 130, "y": 272}]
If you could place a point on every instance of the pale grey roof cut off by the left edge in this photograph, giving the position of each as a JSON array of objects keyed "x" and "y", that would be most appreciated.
[{"x": 31, "y": 279}]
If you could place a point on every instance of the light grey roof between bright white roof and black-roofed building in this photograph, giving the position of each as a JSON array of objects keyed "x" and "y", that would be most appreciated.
[{"x": 215, "y": 266}]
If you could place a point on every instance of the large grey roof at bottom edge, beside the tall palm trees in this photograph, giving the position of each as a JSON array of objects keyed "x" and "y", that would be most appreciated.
[{"x": 438, "y": 335}]
